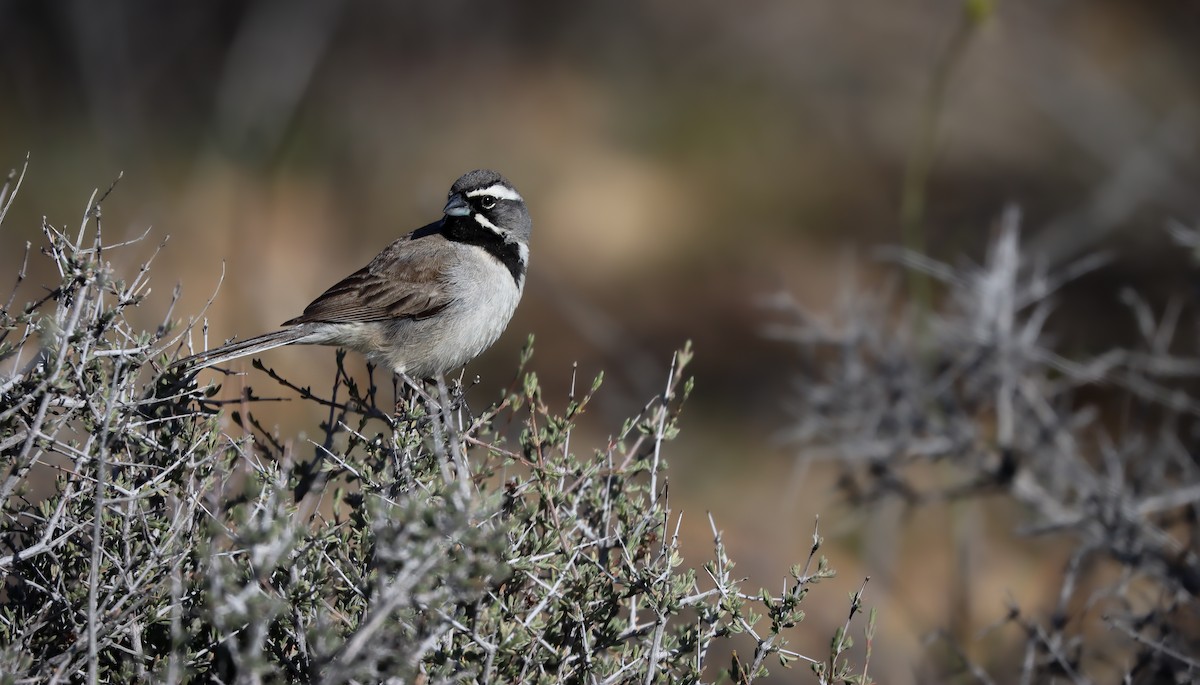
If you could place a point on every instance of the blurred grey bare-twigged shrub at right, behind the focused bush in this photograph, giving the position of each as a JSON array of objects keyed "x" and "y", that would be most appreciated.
[{"x": 974, "y": 402}]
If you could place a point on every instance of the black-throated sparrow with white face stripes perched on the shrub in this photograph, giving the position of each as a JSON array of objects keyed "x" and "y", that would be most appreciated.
[{"x": 429, "y": 303}]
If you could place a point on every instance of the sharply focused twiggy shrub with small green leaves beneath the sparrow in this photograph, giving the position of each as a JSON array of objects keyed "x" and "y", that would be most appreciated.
[{"x": 141, "y": 540}]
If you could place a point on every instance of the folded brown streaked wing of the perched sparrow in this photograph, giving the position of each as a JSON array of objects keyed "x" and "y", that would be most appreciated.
[{"x": 407, "y": 280}]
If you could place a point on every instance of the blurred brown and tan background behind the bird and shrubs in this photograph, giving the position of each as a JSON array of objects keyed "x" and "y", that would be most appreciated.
[{"x": 681, "y": 159}]
